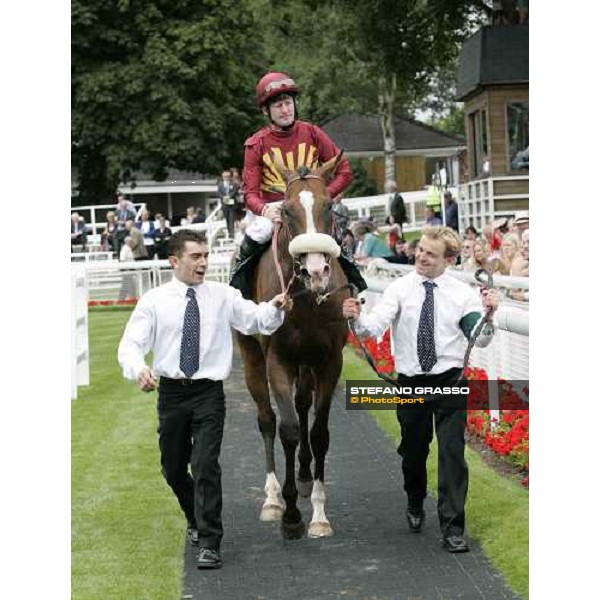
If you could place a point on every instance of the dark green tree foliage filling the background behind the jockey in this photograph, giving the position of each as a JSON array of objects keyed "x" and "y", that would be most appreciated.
[{"x": 159, "y": 84}]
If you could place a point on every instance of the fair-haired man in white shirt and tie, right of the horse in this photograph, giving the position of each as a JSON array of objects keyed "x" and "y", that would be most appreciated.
[{"x": 432, "y": 315}]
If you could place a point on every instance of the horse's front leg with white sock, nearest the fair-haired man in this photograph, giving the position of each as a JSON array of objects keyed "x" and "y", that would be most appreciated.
[{"x": 319, "y": 440}]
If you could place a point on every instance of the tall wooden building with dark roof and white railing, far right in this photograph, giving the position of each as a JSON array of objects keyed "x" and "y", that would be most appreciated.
[{"x": 493, "y": 83}]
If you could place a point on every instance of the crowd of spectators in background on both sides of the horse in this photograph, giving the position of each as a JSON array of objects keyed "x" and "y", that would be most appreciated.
[{"x": 502, "y": 247}]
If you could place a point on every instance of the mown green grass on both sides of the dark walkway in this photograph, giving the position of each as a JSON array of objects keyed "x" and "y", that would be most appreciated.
[{"x": 127, "y": 528}]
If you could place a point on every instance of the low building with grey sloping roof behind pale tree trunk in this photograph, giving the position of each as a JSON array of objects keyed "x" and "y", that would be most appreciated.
[{"x": 420, "y": 149}]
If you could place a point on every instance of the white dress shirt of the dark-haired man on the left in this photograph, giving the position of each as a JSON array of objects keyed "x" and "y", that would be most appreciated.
[{"x": 157, "y": 321}]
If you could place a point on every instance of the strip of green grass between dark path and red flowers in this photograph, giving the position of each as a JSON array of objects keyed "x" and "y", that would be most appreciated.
[{"x": 497, "y": 507}]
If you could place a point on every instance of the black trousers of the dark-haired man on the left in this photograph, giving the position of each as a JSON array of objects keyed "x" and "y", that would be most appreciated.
[{"x": 190, "y": 431}]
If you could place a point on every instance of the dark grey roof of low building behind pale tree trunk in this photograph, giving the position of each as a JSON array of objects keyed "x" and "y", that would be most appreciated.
[{"x": 357, "y": 133}]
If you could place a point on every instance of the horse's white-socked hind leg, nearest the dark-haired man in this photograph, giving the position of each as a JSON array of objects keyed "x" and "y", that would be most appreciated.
[{"x": 255, "y": 373}]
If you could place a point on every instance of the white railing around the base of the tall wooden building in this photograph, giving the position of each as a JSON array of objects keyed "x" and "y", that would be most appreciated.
[{"x": 477, "y": 200}]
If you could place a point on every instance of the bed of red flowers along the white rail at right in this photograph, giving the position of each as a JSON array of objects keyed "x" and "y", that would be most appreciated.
[{"x": 508, "y": 437}]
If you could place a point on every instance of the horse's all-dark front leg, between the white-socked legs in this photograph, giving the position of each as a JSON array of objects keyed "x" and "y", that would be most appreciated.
[{"x": 281, "y": 378}]
